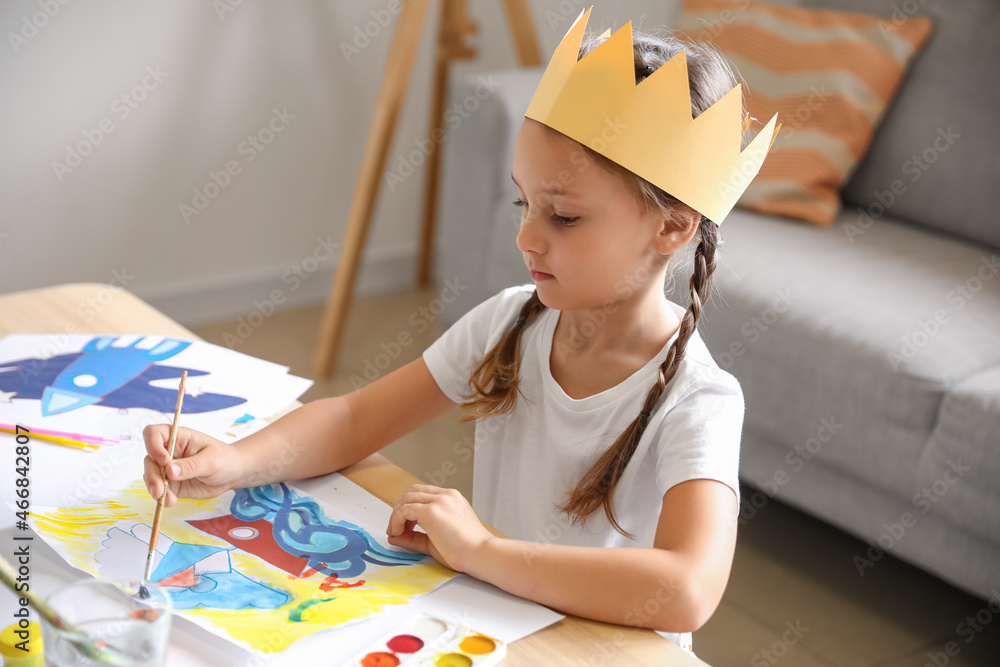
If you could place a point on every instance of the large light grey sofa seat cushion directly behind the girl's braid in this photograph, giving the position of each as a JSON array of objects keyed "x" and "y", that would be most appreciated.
[{"x": 860, "y": 335}]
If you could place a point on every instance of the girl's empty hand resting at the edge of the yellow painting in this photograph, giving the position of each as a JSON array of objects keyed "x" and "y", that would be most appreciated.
[{"x": 453, "y": 531}]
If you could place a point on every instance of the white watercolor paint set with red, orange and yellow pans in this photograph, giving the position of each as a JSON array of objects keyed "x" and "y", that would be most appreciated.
[{"x": 429, "y": 641}]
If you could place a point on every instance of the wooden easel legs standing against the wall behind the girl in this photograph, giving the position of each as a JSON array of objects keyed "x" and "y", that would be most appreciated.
[{"x": 454, "y": 26}]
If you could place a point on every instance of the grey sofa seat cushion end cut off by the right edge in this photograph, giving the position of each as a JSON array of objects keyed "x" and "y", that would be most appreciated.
[{"x": 959, "y": 471}]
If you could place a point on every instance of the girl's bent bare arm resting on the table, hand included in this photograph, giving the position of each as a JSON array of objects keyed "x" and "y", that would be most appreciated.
[{"x": 674, "y": 586}]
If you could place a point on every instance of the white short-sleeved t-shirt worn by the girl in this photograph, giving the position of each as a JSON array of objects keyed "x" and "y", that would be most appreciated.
[{"x": 527, "y": 461}]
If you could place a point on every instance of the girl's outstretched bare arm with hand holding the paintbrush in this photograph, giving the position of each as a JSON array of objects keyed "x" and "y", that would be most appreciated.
[{"x": 318, "y": 438}]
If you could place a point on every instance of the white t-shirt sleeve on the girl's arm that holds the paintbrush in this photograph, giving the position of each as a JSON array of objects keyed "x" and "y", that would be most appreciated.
[{"x": 452, "y": 357}]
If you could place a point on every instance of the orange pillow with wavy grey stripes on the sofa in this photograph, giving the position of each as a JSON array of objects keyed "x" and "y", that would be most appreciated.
[{"x": 828, "y": 75}]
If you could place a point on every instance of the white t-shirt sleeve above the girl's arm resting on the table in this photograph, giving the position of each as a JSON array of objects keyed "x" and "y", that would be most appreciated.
[{"x": 699, "y": 437}]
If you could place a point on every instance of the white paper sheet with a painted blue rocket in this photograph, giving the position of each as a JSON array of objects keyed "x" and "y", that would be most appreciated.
[{"x": 113, "y": 386}]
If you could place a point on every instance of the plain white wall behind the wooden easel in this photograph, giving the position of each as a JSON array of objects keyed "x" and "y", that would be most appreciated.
[{"x": 221, "y": 69}]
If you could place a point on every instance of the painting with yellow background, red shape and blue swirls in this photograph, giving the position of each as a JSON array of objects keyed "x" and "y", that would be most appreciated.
[{"x": 263, "y": 567}]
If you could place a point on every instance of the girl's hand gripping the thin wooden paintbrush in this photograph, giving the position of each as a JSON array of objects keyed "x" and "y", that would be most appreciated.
[{"x": 203, "y": 467}]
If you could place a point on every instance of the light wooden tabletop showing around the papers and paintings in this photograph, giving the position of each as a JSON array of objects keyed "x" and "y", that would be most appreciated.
[{"x": 92, "y": 308}]
